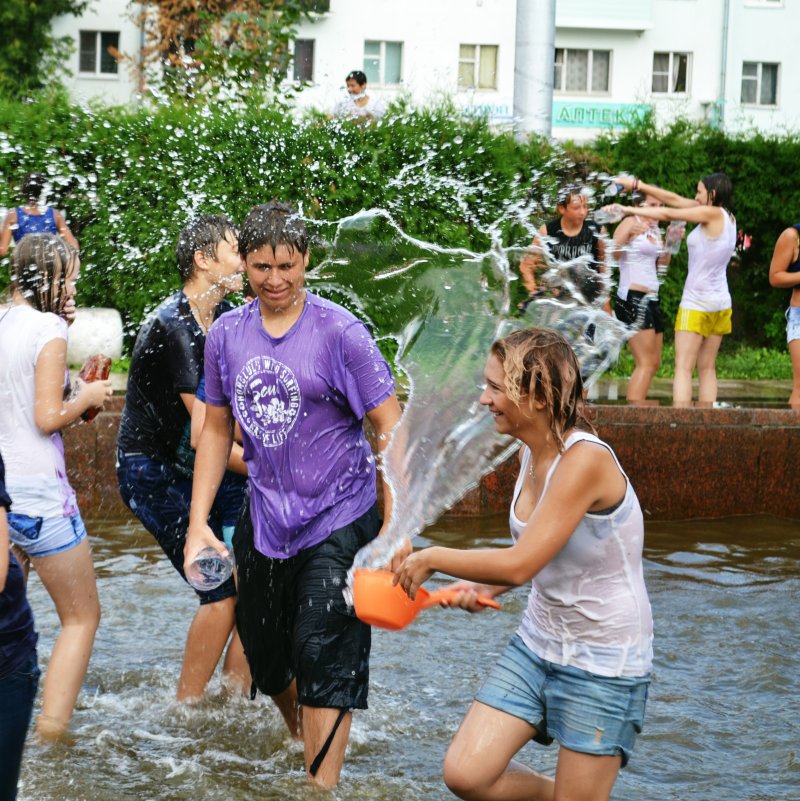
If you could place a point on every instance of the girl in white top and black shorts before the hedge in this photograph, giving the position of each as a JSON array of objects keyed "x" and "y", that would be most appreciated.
[{"x": 639, "y": 249}]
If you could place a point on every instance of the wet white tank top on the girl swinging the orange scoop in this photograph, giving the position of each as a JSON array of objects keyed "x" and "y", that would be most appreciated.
[{"x": 588, "y": 607}]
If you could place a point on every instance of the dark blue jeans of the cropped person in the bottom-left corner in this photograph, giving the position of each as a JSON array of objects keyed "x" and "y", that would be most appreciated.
[{"x": 17, "y": 692}]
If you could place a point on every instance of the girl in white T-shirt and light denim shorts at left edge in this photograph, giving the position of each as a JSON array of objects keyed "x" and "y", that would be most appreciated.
[{"x": 44, "y": 521}]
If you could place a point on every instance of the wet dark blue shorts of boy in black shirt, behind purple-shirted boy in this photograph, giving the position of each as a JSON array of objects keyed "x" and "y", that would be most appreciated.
[{"x": 160, "y": 497}]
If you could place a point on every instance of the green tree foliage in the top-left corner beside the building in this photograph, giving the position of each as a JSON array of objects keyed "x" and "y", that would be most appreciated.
[{"x": 29, "y": 52}]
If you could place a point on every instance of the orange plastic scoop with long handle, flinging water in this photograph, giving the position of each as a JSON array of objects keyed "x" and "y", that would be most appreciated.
[{"x": 378, "y": 602}]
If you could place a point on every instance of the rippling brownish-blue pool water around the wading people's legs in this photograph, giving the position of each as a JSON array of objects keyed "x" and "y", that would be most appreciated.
[{"x": 721, "y": 723}]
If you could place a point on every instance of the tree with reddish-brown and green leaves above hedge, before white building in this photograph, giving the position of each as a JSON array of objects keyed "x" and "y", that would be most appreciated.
[{"x": 197, "y": 48}]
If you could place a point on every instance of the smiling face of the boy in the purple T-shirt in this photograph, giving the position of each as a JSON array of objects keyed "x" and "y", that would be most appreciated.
[{"x": 277, "y": 277}]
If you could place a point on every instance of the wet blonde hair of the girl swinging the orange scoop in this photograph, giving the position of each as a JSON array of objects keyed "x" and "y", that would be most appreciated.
[{"x": 540, "y": 365}]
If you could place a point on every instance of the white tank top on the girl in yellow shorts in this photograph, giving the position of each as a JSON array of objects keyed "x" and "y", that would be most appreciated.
[{"x": 706, "y": 287}]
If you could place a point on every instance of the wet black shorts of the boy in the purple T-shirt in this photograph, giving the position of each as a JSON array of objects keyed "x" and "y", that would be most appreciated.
[{"x": 294, "y": 622}]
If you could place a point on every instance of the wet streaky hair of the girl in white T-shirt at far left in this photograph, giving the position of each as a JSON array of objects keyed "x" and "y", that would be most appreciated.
[{"x": 39, "y": 270}]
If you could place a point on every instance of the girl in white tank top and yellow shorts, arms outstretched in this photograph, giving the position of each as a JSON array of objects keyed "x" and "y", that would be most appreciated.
[{"x": 704, "y": 315}]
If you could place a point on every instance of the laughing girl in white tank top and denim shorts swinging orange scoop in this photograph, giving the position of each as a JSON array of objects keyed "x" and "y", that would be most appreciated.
[{"x": 577, "y": 670}]
